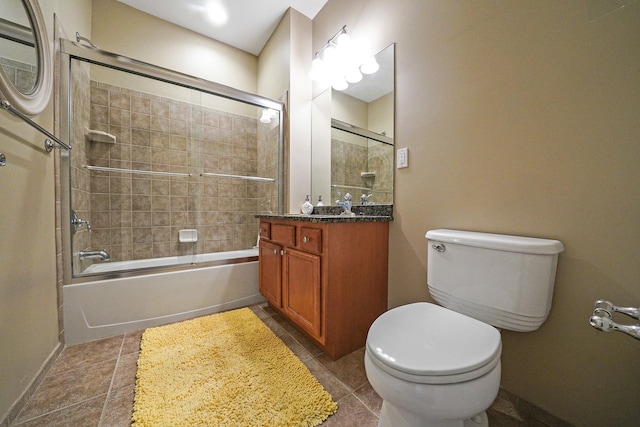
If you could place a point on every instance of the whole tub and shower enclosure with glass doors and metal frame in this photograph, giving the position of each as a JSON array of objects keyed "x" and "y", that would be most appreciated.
[{"x": 159, "y": 192}]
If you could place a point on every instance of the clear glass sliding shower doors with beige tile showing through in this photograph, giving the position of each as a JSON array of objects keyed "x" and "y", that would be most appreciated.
[{"x": 159, "y": 171}]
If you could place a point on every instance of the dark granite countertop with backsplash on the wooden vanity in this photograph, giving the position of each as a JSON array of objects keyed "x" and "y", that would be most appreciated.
[{"x": 327, "y": 214}]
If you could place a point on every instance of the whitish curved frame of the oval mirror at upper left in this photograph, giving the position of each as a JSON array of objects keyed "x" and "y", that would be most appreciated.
[{"x": 35, "y": 102}]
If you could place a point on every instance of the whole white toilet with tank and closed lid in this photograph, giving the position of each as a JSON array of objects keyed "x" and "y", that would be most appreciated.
[{"x": 439, "y": 365}]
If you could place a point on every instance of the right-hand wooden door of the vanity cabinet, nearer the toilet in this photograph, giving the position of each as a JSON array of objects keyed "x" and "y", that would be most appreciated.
[{"x": 301, "y": 297}]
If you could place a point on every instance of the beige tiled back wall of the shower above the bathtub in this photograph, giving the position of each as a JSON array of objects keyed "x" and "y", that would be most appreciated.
[{"x": 137, "y": 216}]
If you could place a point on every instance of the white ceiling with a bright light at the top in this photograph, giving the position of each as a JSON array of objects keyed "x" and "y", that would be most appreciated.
[{"x": 249, "y": 25}]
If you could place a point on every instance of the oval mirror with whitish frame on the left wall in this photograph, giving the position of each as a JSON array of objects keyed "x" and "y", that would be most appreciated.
[{"x": 25, "y": 62}]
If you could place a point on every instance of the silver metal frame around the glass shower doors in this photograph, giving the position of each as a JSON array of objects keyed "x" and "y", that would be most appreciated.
[{"x": 69, "y": 51}]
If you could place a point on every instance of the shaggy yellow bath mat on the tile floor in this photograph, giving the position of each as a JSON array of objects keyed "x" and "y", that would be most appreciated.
[{"x": 226, "y": 369}]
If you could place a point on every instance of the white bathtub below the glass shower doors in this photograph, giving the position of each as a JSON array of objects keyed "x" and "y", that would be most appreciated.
[{"x": 207, "y": 284}]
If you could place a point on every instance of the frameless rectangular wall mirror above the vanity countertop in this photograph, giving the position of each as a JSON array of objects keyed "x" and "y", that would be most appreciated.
[{"x": 352, "y": 139}]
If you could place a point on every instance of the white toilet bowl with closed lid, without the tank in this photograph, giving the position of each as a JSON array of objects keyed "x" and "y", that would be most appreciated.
[{"x": 432, "y": 367}]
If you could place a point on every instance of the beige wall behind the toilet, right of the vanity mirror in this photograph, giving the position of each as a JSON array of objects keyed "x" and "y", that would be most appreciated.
[{"x": 522, "y": 118}]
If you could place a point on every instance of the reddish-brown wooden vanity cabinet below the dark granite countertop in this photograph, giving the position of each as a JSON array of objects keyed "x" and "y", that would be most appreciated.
[{"x": 329, "y": 279}]
